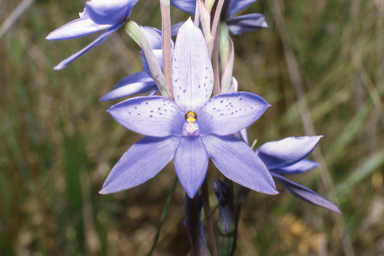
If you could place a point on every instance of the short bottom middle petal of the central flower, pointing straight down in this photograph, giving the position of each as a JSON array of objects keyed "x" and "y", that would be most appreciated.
[{"x": 191, "y": 164}]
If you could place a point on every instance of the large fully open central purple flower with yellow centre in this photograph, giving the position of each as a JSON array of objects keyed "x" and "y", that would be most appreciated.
[{"x": 192, "y": 129}]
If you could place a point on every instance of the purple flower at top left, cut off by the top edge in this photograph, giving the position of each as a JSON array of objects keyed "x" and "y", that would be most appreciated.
[{"x": 98, "y": 15}]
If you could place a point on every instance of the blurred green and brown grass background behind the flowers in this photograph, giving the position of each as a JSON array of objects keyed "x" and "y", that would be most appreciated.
[{"x": 321, "y": 67}]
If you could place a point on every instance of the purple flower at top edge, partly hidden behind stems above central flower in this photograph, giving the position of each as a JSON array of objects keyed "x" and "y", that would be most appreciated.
[{"x": 237, "y": 25}]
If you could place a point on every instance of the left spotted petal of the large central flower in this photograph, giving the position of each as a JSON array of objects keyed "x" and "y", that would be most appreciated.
[{"x": 152, "y": 116}]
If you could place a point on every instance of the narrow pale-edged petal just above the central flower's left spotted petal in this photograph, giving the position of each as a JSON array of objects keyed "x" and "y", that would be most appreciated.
[{"x": 129, "y": 89}]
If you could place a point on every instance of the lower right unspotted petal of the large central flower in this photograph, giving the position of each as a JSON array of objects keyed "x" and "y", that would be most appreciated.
[{"x": 239, "y": 163}]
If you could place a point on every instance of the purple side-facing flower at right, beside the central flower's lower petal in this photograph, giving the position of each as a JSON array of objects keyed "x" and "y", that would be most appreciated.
[{"x": 286, "y": 156}]
